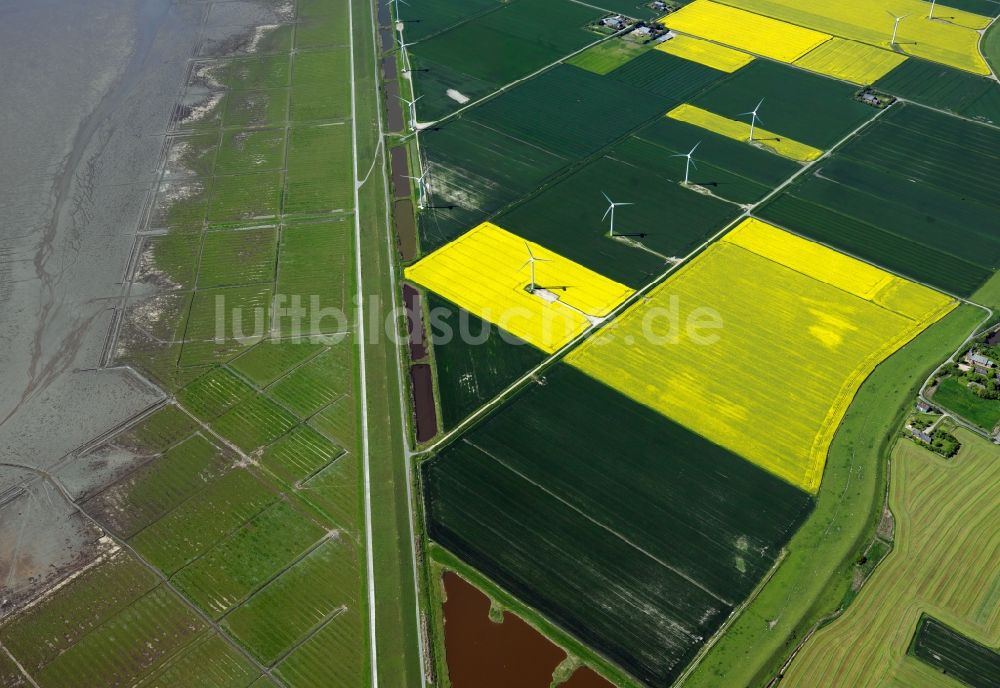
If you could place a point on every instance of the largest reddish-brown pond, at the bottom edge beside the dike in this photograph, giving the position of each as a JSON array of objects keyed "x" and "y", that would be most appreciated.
[{"x": 484, "y": 654}]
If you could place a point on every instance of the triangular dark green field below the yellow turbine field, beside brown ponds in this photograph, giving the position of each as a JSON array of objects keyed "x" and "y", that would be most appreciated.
[{"x": 470, "y": 372}]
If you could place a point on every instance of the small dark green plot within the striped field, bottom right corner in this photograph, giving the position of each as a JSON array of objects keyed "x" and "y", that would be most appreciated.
[{"x": 956, "y": 655}]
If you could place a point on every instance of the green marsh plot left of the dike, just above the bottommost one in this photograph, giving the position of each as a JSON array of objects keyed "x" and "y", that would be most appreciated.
[{"x": 318, "y": 588}]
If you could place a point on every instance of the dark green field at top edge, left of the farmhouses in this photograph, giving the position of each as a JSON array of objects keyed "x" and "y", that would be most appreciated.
[{"x": 516, "y": 40}]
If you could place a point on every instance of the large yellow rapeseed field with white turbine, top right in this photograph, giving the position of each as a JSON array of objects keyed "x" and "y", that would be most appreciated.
[{"x": 953, "y": 40}]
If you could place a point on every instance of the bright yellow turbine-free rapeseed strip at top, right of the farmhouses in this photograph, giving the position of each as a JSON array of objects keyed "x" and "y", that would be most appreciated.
[{"x": 744, "y": 30}]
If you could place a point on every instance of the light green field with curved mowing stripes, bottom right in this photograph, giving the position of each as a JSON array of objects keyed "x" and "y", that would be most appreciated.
[{"x": 943, "y": 563}]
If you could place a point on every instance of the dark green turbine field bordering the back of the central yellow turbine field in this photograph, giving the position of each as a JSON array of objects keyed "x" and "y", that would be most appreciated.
[{"x": 568, "y": 217}]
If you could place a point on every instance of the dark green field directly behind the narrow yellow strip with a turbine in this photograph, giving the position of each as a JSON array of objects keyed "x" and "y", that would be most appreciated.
[{"x": 803, "y": 106}]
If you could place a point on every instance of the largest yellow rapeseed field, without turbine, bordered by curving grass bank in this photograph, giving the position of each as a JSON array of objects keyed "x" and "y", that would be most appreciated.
[{"x": 802, "y": 326}]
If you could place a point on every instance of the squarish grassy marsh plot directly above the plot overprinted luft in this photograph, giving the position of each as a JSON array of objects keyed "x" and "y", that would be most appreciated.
[{"x": 231, "y": 258}]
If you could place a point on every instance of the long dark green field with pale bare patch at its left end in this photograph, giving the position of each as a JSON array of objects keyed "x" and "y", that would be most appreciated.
[{"x": 505, "y": 148}]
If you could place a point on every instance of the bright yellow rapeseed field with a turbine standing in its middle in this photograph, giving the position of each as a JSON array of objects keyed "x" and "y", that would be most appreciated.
[{"x": 484, "y": 272}]
